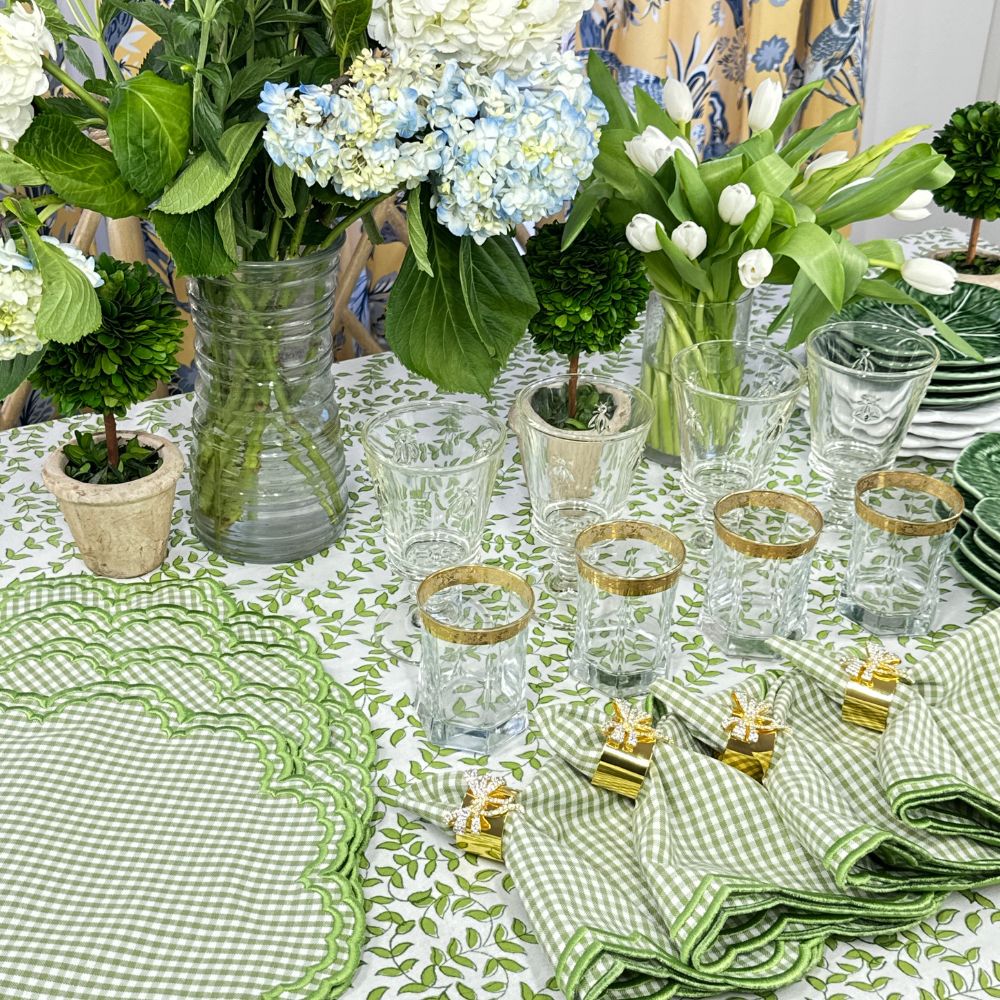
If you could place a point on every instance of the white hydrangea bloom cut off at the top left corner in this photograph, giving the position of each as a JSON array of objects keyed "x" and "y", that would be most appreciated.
[{"x": 24, "y": 39}]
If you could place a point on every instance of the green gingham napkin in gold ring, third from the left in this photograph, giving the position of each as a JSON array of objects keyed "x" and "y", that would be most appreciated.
[{"x": 824, "y": 784}]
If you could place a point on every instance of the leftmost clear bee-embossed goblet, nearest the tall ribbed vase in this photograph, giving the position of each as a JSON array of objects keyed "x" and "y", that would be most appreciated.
[{"x": 434, "y": 465}]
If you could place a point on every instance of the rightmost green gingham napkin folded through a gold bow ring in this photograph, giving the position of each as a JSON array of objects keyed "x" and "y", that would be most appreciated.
[{"x": 937, "y": 761}]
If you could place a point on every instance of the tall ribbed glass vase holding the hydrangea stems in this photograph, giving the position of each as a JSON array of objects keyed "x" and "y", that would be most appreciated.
[{"x": 269, "y": 483}]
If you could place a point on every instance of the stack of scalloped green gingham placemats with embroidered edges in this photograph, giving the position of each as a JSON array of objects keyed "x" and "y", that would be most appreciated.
[{"x": 184, "y": 798}]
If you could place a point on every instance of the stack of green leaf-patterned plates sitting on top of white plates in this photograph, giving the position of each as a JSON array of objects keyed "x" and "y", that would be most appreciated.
[{"x": 973, "y": 311}]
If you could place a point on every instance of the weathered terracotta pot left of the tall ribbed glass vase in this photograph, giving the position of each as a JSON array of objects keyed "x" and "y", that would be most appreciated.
[{"x": 121, "y": 530}]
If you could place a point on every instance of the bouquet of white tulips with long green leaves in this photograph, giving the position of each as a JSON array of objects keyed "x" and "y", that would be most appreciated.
[{"x": 712, "y": 231}]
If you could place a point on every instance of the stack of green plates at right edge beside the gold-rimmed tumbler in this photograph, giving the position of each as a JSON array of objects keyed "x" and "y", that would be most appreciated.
[{"x": 977, "y": 550}]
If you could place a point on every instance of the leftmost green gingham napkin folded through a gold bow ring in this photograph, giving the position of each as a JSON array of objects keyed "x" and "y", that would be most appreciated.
[{"x": 570, "y": 851}]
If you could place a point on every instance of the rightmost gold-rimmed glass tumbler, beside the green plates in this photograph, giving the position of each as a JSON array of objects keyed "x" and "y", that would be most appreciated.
[{"x": 901, "y": 537}]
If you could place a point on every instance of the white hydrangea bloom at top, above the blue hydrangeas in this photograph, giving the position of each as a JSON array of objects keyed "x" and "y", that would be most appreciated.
[{"x": 515, "y": 35}]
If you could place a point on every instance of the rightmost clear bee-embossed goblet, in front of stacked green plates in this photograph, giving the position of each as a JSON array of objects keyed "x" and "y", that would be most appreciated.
[{"x": 866, "y": 381}]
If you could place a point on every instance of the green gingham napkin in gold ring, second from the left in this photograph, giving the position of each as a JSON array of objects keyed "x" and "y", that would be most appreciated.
[{"x": 733, "y": 886}]
